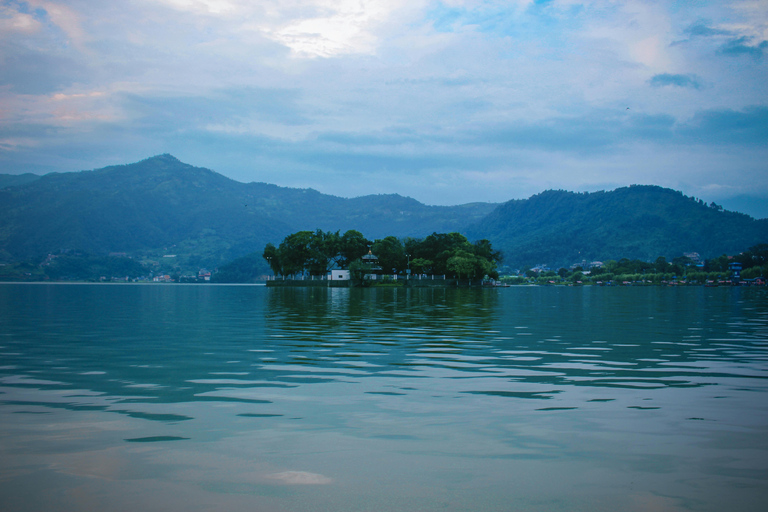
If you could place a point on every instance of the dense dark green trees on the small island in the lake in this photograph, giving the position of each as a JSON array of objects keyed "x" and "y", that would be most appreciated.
[{"x": 316, "y": 253}]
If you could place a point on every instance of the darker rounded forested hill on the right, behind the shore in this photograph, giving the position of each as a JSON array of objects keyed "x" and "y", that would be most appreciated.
[{"x": 637, "y": 222}]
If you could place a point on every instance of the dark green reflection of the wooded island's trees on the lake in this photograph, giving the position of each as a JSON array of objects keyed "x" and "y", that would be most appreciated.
[{"x": 376, "y": 327}]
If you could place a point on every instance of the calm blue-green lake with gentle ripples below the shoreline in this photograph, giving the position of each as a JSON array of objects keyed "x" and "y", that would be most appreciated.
[{"x": 229, "y": 398}]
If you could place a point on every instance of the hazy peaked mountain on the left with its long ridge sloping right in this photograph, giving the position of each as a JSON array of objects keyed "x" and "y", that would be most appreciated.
[{"x": 163, "y": 205}]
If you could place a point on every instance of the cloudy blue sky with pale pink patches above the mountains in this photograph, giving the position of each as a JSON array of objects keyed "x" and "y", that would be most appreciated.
[{"x": 447, "y": 102}]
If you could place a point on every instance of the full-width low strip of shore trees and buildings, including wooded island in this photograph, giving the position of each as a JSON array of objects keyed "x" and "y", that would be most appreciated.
[{"x": 327, "y": 258}]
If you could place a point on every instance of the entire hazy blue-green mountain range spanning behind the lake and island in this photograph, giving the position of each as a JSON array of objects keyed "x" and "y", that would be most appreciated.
[{"x": 161, "y": 206}]
